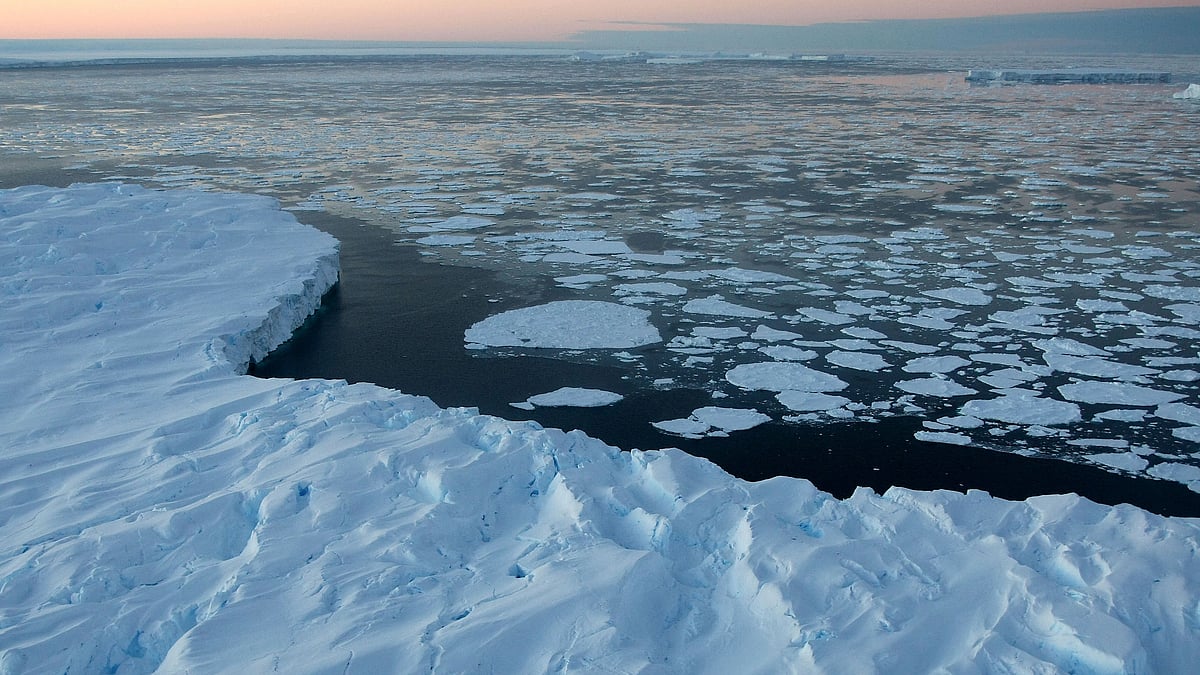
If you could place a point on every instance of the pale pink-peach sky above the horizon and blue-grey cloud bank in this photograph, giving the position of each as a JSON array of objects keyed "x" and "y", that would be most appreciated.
[{"x": 475, "y": 21}]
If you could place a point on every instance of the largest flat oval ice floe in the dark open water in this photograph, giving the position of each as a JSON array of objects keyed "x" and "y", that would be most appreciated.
[{"x": 567, "y": 325}]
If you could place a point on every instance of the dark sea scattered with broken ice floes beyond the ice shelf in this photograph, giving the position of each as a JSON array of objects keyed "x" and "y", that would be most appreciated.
[{"x": 1001, "y": 280}]
